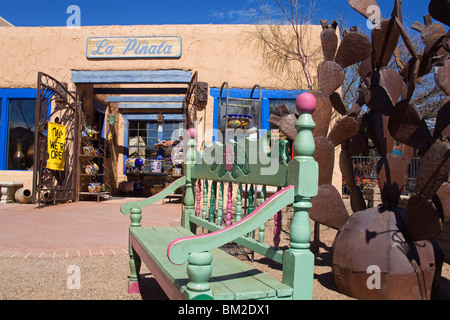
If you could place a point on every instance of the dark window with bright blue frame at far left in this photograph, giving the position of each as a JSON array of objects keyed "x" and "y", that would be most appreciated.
[{"x": 17, "y": 126}]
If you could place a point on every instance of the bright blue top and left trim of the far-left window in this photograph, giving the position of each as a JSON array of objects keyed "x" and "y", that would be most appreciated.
[{"x": 5, "y": 96}]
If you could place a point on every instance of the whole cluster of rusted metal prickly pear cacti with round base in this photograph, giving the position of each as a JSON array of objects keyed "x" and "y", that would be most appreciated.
[{"x": 399, "y": 242}]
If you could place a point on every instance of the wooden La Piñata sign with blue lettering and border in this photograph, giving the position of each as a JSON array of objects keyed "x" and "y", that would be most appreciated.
[{"x": 133, "y": 47}]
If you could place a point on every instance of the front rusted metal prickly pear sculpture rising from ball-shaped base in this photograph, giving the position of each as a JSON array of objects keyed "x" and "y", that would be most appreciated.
[{"x": 398, "y": 242}]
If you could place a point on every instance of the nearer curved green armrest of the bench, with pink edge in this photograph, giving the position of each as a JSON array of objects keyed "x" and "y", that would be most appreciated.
[{"x": 179, "y": 249}]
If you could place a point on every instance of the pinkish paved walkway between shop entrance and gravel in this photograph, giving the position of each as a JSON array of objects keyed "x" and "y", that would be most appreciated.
[{"x": 85, "y": 228}]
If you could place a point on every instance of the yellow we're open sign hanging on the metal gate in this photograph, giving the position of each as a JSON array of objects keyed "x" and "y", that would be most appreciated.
[{"x": 56, "y": 143}]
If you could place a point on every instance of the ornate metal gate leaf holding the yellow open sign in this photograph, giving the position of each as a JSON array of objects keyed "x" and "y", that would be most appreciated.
[{"x": 57, "y": 105}]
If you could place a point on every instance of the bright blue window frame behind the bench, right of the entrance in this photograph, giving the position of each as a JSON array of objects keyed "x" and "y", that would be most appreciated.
[{"x": 270, "y": 100}]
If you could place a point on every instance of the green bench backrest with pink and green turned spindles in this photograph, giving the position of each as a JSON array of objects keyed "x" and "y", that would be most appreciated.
[{"x": 223, "y": 183}]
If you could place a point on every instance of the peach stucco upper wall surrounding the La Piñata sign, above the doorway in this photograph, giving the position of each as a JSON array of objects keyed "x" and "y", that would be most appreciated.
[{"x": 218, "y": 52}]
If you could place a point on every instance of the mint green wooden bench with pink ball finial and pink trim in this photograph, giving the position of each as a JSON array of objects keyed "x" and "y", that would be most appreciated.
[{"x": 191, "y": 266}]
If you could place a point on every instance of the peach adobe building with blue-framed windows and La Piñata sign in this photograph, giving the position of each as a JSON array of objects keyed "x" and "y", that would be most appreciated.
[{"x": 130, "y": 83}]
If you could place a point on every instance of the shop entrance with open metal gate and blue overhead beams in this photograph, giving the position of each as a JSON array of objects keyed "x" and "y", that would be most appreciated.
[{"x": 122, "y": 127}]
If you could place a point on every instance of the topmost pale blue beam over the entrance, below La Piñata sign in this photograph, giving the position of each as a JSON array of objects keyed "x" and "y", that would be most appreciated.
[{"x": 131, "y": 76}]
